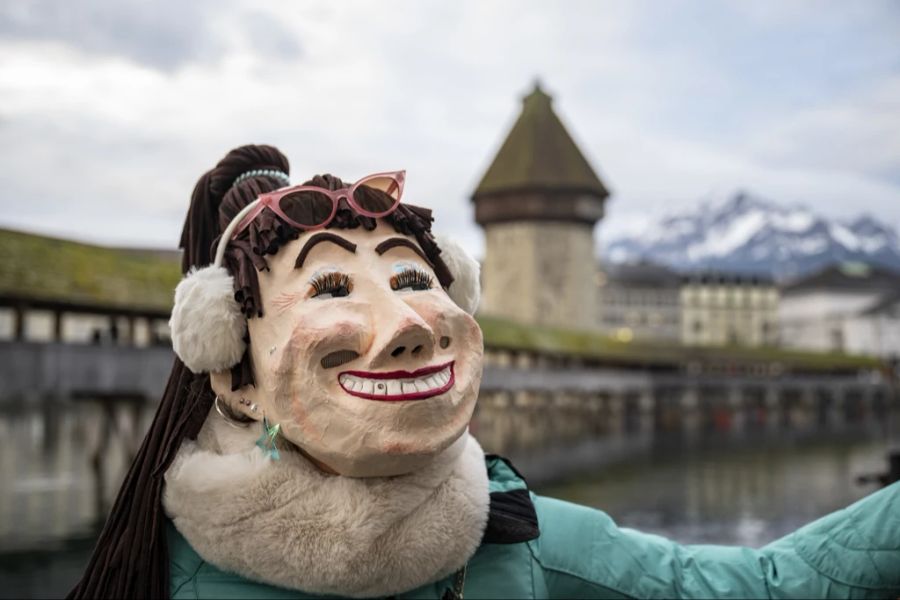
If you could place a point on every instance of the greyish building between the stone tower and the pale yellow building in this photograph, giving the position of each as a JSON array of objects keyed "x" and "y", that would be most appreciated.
[{"x": 641, "y": 302}]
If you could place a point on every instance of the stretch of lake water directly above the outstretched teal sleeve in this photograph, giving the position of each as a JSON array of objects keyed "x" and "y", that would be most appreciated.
[{"x": 728, "y": 492}]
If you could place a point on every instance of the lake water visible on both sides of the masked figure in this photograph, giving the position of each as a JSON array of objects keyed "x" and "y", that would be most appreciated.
[{"x": 714, "y": 488}]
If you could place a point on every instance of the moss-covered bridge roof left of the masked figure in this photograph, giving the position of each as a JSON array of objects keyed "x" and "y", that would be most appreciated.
[{"x": 45, "y": 269}]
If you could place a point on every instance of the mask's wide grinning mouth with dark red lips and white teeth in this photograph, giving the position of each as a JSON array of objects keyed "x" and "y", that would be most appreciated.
[{"x": 399, "y": 385}]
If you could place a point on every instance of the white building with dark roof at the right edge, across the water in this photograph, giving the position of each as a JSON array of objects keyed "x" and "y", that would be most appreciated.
[{"x": 846, "y": 307}]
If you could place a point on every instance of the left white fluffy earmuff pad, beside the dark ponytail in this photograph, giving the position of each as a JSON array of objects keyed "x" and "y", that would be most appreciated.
[{"x": 207, "y": 325}]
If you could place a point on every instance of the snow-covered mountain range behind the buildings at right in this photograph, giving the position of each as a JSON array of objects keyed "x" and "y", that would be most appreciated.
[{"x": 748, "y": 234}]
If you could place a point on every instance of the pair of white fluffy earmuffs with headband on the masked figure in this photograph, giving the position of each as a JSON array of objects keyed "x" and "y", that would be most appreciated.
[{"x": 208, "y": 327}]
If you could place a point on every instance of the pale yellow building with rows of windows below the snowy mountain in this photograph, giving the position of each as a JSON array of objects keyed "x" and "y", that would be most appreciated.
[{"x": 720, "y": 309}]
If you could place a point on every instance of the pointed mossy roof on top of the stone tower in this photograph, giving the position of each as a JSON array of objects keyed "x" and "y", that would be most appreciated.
[{"x": 539, "y": 154}]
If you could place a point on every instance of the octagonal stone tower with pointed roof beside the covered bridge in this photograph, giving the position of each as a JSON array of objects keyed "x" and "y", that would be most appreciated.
[{"x": 538, "y": 203}]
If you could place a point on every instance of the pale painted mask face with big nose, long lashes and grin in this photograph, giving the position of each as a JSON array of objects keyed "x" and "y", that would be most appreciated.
[{"x": 361, "y": 356}]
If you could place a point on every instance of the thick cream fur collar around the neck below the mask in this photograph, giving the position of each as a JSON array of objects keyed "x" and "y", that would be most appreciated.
[{"x": 288, "y": 524}]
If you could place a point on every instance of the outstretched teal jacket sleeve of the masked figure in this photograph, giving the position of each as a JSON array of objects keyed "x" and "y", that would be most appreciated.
[{"x": 852, "y": 553}]
